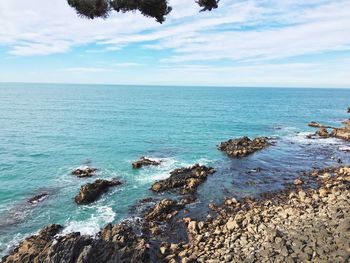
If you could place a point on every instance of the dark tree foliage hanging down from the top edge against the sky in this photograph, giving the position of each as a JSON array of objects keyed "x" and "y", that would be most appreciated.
[{"x": 157, "y": 9}]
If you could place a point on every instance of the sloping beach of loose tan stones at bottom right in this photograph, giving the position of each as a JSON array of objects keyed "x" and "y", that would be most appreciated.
[{"x": 299, "y": 225}]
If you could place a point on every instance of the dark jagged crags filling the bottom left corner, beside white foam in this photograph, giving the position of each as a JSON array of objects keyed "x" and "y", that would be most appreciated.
[{"x": 112, "y": 244}]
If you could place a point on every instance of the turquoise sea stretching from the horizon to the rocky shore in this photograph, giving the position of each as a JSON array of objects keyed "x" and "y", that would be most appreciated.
[{"x": 47, "y": 130}]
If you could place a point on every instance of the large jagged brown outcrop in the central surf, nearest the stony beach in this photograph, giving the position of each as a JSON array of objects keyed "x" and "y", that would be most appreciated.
[{"x": 185, "y": 179}]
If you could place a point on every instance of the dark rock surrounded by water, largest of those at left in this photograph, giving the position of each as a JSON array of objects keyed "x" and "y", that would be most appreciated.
[{"x": 90, "y": 192}]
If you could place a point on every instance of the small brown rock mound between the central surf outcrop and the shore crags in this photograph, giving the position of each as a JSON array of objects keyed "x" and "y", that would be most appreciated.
[{"x": 162, "y": 210}]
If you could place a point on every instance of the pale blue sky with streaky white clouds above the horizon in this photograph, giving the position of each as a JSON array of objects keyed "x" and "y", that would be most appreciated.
[{"x": 271, "y": 43}]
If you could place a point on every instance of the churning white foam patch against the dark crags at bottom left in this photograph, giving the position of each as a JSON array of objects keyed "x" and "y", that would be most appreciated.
[{"x": 99, "y": 218}]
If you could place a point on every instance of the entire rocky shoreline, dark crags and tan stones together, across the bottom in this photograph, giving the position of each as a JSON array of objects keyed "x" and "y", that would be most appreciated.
[{"x": 169, "y": 219}]
